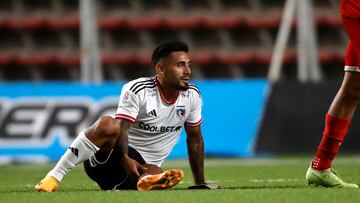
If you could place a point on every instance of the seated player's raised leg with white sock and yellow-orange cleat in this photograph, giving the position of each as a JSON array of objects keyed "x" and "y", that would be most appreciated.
[{"x": 102, "y": 134}]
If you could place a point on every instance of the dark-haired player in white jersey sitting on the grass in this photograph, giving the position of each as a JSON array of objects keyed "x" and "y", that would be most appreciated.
[{"x": 127, "y": 152}]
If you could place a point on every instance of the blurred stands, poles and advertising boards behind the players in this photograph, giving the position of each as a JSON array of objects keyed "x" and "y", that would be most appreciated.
[{"x": 268, "y": 70}]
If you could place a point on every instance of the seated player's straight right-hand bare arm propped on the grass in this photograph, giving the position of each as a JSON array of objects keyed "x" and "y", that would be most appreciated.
[{"x": 195, "y": 144}]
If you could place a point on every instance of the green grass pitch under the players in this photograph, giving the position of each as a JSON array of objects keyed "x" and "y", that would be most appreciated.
[{"x": 244, "y": 180}]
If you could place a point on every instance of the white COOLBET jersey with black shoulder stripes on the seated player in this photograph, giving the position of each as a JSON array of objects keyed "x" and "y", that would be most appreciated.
[{"x": 157, "y": 122}]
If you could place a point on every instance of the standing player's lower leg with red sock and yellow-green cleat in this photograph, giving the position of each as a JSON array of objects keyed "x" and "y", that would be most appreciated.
[{"x": 336, "y": 126}]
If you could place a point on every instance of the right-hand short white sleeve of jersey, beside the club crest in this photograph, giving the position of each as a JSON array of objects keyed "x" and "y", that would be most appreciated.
[{"x": 195, "y": 117}]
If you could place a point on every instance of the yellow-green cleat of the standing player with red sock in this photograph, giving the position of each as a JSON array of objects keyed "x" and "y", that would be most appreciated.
[{"x": 327, "y": 178}]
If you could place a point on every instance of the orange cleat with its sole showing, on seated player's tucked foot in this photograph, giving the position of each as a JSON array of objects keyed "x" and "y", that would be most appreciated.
[{"x": 164, "y": 180}]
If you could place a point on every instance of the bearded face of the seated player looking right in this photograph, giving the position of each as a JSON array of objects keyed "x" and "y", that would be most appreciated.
[{"x": 177, "y": 72}]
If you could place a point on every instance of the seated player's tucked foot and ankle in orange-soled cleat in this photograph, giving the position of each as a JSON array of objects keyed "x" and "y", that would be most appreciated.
[{"x": 155, "y": 179}]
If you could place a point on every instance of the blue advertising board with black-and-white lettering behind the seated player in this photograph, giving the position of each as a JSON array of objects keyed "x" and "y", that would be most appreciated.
[{"x": 39, "y": 121}]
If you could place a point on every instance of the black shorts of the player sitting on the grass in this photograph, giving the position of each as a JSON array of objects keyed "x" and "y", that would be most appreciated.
[{"x": 105, "y": 169}]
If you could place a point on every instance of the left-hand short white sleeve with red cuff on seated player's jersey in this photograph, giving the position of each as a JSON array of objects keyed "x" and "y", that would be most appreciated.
[{"x": 128, "y": 107}]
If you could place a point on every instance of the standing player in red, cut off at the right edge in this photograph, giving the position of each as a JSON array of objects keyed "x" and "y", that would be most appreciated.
[{"x": 342, "y": 109}]
